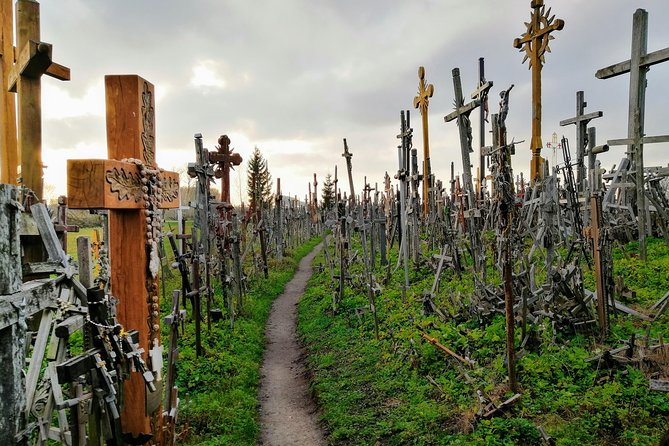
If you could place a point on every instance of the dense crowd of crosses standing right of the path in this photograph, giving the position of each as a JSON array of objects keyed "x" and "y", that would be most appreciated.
[{"x": 526, "y": 243}]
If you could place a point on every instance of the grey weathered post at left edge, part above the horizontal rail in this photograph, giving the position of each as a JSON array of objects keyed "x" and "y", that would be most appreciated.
[{"x": 10, "y": 248}]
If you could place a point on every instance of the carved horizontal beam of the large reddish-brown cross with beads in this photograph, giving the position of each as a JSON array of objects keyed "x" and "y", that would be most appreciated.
[{"x": 112, "y": 184}]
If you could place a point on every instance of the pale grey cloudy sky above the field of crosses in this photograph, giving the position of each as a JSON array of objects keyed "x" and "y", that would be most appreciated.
[{"x": 294, "y": 77}]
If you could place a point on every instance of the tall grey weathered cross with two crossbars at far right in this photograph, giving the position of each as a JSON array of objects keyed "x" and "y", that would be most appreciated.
[{"x": 637, "y": 66}]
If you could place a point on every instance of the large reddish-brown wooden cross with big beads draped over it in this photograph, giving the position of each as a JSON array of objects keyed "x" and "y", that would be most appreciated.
[{"x": 130, "y": 190}]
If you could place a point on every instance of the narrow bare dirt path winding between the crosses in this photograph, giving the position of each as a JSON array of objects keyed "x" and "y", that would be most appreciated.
[{"x": 288, "y": 416}]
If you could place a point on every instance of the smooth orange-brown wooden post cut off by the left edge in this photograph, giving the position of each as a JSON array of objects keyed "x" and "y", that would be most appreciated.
[{"x": 9, "y": 159}]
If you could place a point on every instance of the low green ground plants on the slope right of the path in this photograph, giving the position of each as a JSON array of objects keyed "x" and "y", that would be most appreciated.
[{"x": 402, "y": 390}]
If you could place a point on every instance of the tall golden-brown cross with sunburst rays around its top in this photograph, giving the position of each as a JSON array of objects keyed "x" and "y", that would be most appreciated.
[{"x": 535, "y": 44}]
